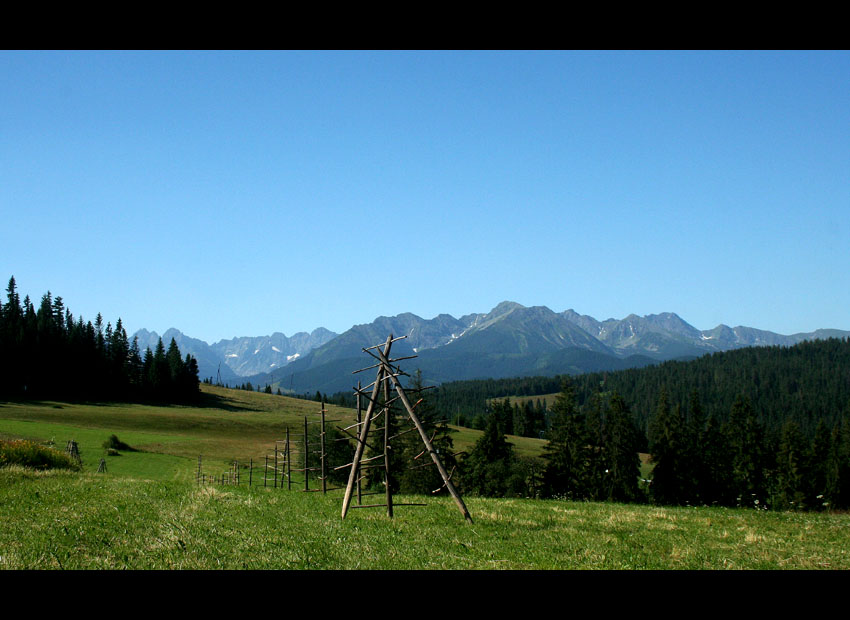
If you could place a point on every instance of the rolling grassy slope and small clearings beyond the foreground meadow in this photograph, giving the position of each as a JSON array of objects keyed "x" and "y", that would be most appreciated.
[{"x": 227, "y": 425}]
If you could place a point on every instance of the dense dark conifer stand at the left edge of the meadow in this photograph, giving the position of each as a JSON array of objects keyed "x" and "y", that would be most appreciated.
[{"x": 47, "y": 353}]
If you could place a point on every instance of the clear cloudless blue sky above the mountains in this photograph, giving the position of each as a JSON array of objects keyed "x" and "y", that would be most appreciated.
[{"x": 241, "y": 193}]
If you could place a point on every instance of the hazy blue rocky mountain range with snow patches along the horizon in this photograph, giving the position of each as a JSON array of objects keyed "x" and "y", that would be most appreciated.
[{"x": 510, "y": 340}]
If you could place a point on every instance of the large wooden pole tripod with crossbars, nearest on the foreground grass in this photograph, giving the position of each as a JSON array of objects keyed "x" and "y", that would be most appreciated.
[{"x": 388, "y": 376}]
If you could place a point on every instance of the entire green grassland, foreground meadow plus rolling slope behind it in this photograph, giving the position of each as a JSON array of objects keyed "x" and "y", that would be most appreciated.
[{"x": 147, "y": 512}]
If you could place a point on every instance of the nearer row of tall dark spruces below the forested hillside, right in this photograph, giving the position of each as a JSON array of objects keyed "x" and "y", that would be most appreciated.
[{"x": 696, "y": 459}]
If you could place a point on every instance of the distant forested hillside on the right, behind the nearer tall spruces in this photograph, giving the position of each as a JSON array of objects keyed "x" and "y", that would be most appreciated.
[{"x": 805, "y": 383}]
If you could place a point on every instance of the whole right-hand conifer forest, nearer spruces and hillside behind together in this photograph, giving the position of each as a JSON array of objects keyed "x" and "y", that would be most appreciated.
[{"x": 760, "y": 428}]
